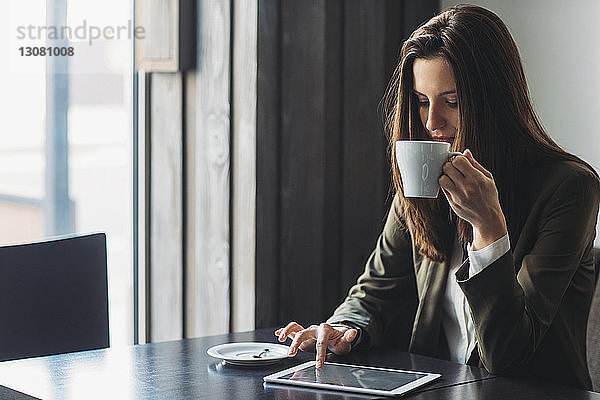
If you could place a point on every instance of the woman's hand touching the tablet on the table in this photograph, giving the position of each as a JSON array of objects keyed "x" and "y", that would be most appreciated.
[{"x": 318, "y": 338}]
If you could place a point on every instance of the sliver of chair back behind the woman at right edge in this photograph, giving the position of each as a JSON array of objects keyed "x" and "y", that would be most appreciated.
[{"x": 593, "y": 331}]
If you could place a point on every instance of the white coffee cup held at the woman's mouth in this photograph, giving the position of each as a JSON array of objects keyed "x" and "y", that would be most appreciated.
[{"x": 420, "y": 164}]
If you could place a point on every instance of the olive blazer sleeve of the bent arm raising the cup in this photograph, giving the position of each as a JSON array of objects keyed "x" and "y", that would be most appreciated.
[{"x": 512, "y": 311}]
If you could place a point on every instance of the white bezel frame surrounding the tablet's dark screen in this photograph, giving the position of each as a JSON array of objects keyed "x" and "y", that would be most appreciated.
[{"x": 276, "y": 378}]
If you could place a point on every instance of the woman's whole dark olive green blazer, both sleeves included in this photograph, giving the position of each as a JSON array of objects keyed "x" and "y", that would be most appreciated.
[{"x": 529, "y": 307}]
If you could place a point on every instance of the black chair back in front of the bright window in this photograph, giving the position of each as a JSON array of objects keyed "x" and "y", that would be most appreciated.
[{"x": 53, "y": 297}]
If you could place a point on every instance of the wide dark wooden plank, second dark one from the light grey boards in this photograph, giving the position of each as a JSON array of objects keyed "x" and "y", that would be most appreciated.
[{"x": 311, "y": 59}]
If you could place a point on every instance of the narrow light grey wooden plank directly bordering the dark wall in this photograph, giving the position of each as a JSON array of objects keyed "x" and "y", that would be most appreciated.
[{"x": 243, "y": 234}]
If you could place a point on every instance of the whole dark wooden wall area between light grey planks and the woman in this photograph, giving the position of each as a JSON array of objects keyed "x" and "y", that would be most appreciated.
[{"x": 322, "y": 169}]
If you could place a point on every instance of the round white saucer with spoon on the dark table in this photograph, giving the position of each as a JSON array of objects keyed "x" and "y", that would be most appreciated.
[{"x": 249, "y": 353}]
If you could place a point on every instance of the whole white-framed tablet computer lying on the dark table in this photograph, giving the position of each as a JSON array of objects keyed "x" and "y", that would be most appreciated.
[{"x": 353, "y": 378}]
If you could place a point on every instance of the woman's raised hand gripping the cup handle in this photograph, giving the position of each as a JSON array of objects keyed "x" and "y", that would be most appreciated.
[{"x": 472, "y": 194}]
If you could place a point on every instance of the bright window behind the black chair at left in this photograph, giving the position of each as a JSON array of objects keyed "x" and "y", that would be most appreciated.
[{"x": 66, "y": 152}]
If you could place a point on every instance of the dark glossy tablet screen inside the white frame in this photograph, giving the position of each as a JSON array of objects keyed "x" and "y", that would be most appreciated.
[{"x": 354, "y": 376}]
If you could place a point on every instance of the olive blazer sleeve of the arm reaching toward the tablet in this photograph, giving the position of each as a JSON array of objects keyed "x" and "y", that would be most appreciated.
[{"x": 386, "y": 291}]
